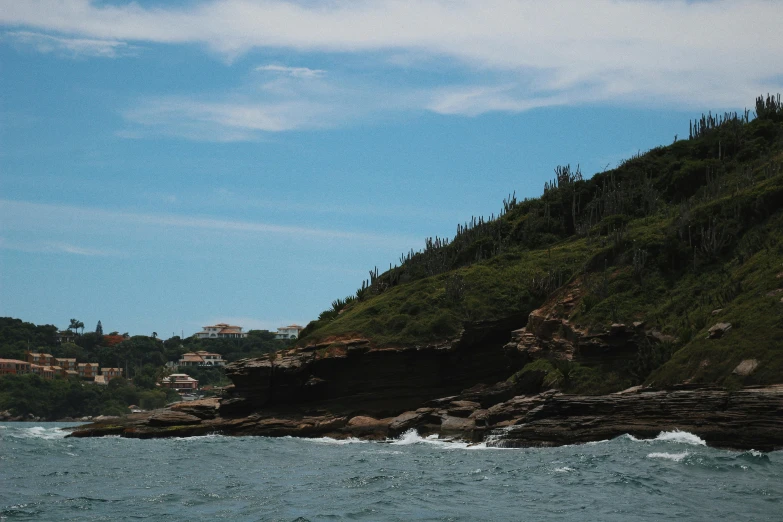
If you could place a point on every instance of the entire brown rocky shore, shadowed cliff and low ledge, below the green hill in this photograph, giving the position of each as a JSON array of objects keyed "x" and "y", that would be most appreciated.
[{"x": 460, "y": 389}]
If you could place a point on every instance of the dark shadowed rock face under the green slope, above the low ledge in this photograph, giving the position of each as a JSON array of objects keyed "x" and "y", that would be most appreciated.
[{"x": 350, "y": 376}]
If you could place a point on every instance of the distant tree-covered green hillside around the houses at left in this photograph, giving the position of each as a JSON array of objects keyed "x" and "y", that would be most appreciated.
[{"x": 142, "y": 359}]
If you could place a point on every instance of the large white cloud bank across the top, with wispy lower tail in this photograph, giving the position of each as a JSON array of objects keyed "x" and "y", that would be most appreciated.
[{"x": 519, "y": 53}]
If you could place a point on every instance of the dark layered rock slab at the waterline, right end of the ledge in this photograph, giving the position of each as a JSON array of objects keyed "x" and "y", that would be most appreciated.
[{"x": 750, "y": 418}]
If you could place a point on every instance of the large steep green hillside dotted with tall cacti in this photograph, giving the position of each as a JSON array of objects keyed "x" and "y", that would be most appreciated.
[{"x": 667, "y": 237}]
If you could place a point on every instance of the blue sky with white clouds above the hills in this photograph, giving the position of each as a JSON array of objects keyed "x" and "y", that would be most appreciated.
[{"x": 169, "y": 165}]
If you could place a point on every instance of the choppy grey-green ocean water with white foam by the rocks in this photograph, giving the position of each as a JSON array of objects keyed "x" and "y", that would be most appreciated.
[{"x": 44, "y": 476}]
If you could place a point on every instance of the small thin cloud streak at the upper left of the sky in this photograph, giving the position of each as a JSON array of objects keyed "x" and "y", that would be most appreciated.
[{"x": 71, "y": 47}]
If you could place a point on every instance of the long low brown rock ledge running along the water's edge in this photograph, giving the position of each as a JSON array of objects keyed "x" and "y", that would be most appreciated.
[{"x": 750, "y": 418}]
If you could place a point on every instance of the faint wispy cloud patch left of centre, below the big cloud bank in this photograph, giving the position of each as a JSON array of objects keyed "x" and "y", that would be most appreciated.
[{"x": 293, "y": 99}]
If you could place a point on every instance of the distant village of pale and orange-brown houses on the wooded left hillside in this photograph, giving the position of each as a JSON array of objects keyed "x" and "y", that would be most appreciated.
[{"x": 48, "y": 366}]
